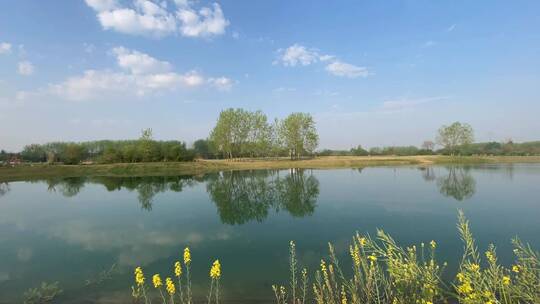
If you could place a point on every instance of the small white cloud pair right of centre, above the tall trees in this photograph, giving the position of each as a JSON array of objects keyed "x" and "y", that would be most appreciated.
[{"x": 300, "y": 55}]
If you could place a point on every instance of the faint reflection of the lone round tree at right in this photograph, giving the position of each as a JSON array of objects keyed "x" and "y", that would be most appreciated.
[{"x": 458, "y": 184}]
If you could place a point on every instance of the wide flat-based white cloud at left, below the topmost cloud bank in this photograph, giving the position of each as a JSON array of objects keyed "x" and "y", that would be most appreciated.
[{"x": 139, "y": 74}]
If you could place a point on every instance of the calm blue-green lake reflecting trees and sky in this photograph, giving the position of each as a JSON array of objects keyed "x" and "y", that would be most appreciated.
[{"x": 90, "y": 233}]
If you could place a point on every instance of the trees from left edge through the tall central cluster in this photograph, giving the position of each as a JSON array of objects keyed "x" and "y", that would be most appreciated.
[{"x": 237, "y": 133}]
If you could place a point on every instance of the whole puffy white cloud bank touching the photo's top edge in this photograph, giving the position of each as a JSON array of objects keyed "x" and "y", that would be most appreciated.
[{"x": 147, "y": 18}]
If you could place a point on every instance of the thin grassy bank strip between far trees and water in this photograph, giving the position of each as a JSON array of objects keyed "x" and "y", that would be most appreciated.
[{"x": 35, "y": 171}]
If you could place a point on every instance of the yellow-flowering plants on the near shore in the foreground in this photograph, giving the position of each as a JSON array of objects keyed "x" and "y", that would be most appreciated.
[{"x": 381, "y": 272}]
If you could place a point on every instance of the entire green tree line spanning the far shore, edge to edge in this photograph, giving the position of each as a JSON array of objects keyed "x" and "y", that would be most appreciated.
[{"x": 239, "y": 133}]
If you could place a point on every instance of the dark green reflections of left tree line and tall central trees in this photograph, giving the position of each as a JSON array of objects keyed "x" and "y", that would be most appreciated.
[{"x": 240, "y": 196}]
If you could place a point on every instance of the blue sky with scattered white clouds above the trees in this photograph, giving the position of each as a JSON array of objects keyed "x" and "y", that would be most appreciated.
[{"x": 374, "y": 73}]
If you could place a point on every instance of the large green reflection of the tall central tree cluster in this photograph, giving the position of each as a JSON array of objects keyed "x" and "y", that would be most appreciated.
[{"x": 243, "y": 196}]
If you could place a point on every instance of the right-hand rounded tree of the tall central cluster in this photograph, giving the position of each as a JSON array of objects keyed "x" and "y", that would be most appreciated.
[{"x": 298, "y": 134}]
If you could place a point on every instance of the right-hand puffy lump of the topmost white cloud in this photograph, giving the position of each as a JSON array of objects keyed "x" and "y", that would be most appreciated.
[{"x": 207, "y": 22}]
